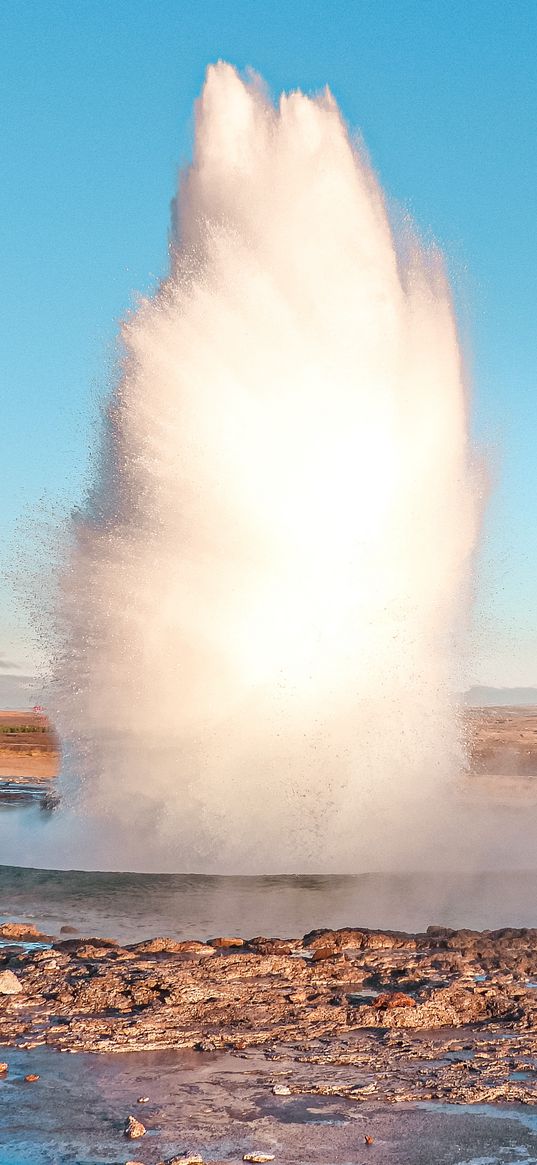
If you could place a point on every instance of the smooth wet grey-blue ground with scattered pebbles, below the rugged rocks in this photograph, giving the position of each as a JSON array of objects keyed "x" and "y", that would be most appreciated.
[{"x": 223, "y": 1108}]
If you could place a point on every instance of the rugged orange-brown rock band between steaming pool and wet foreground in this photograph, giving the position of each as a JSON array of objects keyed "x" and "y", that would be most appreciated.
[{"x": 91, "y": 995}]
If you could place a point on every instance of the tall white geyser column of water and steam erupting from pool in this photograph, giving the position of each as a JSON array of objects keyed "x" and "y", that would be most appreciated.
[{"x": 263, "y": 598}]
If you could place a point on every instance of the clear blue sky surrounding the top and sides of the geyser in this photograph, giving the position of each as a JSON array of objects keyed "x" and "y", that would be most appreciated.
[{"x": 97, "y": 117}]
